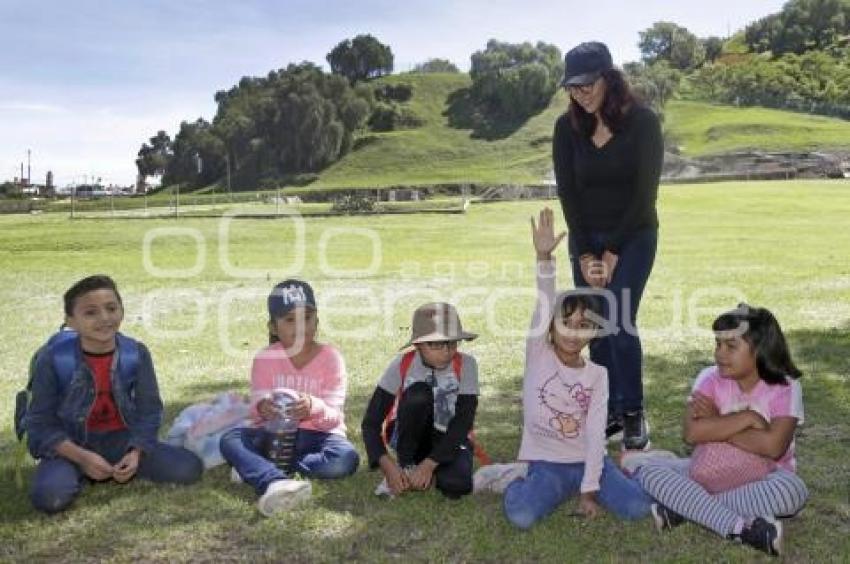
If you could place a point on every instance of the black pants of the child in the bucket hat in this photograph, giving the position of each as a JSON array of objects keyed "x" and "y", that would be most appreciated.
[{"x": 416, "y": 437}]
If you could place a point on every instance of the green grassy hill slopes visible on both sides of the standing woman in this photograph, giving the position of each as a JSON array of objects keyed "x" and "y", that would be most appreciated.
[{"x": 450, "y": 148}]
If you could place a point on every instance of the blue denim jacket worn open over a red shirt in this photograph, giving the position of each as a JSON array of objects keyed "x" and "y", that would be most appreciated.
[{"x": 57, "y": 414}]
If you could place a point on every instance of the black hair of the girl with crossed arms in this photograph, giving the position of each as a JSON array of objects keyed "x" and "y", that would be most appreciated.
[{"x": 761, "y": 330}]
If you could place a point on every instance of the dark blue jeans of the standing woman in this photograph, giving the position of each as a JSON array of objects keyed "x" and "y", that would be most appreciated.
[{"x": 621, "y": 352}]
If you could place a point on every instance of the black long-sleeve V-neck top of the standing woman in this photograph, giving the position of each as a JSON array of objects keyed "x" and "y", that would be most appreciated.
[{"x": 613, "y": 188}]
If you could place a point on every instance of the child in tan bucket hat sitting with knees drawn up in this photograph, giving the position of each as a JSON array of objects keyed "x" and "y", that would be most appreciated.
[{"x": 424, "y": 406}]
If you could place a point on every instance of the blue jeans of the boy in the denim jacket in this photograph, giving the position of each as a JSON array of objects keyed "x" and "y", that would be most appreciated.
[{"x": 58, "y": 481}]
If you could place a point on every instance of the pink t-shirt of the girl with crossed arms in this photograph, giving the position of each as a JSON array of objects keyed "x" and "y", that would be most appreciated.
[{"x": 769, "y": 401}]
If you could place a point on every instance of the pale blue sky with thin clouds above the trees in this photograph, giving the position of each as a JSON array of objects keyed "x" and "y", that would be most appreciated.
[{"x": 84, "y": 83}]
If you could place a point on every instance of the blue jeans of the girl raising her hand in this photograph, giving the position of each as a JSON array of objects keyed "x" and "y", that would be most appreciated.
[{"x": 548, "y": 484}]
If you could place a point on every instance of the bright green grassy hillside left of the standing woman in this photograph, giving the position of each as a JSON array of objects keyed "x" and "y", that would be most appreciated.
[{"x": 437, "y": 152}]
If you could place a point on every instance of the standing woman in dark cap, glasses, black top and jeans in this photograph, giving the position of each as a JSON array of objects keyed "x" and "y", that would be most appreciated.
[{"x": 607, "y": 151}]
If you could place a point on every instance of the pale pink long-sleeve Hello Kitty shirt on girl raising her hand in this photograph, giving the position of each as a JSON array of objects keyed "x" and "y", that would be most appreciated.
[{"x": 564, "y": 409}]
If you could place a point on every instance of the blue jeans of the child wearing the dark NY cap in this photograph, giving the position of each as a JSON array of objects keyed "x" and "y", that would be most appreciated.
[{"x": 317, "y": 455}]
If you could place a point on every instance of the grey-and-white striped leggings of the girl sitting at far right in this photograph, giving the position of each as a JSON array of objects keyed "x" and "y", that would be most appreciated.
[{"x": 780, "y": 494}]
